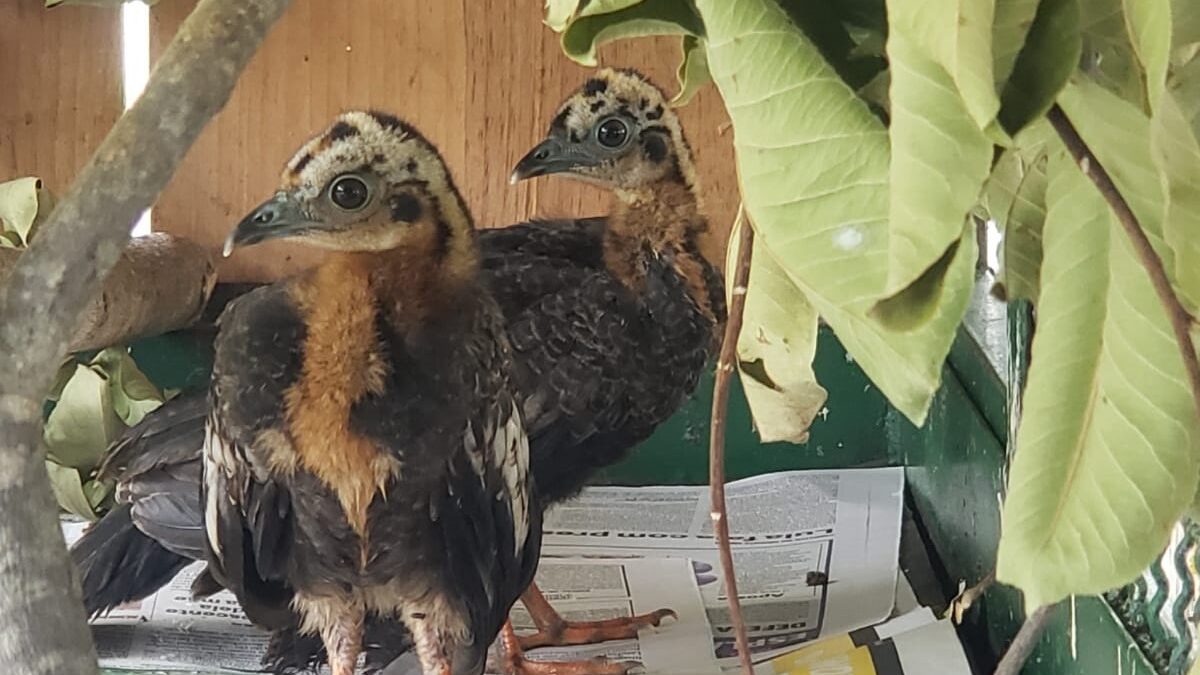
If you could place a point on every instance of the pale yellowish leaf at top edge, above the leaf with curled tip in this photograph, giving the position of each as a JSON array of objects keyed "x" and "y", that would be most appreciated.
[{"x": 957, "y": 37}]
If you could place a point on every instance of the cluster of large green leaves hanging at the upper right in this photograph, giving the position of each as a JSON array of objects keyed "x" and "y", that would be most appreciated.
[{"x": 872, "y": 134}]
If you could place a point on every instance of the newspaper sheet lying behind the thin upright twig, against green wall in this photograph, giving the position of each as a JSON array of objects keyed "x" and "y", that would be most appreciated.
[{"x": 817, "y": 552}]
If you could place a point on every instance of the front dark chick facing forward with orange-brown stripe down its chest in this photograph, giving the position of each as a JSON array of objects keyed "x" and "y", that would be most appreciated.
[{"x": 365, "y": 453}]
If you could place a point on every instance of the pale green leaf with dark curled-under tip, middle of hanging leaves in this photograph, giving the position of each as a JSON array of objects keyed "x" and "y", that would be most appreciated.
[{"x": 940, "y": 160}]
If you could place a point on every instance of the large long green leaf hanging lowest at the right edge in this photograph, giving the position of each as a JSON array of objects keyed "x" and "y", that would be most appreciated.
[{"x": 1107, "y": 446}]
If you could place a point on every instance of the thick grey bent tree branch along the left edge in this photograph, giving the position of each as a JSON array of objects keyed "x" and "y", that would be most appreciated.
[{"x": 43, "y": 629}]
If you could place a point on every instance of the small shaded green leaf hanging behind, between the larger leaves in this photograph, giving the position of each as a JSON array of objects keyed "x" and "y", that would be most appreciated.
[{"x": 1016, "y": 199}]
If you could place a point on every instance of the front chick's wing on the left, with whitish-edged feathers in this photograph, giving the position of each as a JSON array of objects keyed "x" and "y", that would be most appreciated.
[{"x": 248, "y": 512}]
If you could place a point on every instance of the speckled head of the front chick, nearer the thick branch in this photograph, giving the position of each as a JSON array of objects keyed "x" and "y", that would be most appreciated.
[{"x": 368, "y": 183}]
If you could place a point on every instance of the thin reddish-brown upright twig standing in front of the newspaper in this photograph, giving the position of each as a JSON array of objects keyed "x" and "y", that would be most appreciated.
[{"x": 717, "y": 440}]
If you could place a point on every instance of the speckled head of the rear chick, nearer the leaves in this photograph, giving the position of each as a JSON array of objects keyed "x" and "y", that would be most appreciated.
[{"x": 617, "y": 132}]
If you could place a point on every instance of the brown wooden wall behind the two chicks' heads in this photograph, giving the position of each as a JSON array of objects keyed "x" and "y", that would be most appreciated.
[{"x": 482, "y": 80}]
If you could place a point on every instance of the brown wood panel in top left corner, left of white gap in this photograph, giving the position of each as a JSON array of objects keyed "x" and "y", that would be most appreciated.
[{"x": 61, "y": 77}]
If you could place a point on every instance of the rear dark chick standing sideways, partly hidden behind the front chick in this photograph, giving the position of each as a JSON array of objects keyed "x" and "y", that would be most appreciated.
[{"x": 609, "y": 347}]
